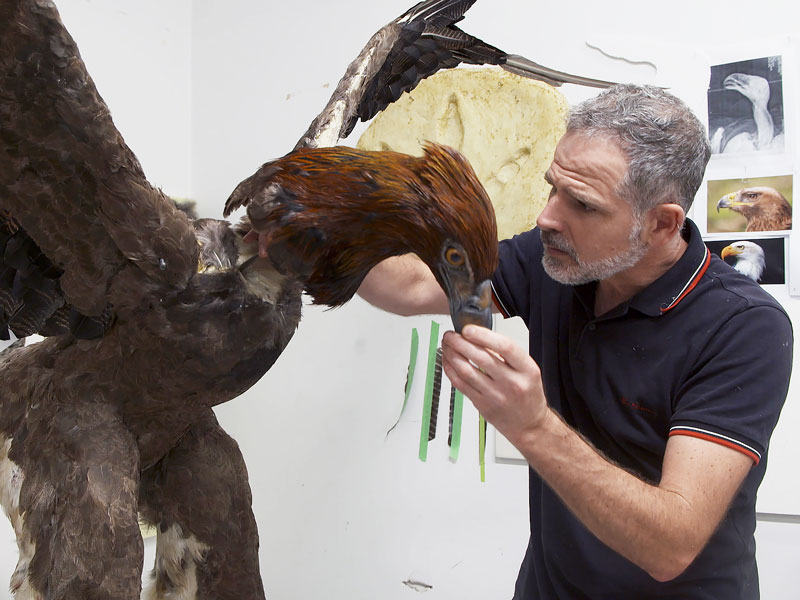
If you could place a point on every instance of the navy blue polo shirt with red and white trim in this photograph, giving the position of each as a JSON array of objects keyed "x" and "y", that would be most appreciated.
[{"x": 703, "y": 351}]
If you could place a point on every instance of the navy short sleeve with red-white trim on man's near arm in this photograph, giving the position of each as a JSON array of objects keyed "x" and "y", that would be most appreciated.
[{"x": 738, "y": 388}]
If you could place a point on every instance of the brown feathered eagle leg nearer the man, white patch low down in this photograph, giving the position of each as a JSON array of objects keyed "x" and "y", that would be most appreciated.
[{"x": 199, "y": 498}]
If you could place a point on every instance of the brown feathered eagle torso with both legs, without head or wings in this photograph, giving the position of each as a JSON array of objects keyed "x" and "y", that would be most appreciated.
[{"x": 98, "y": 432}]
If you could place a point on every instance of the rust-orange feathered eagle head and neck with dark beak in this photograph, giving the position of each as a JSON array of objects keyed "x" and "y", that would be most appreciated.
[{"x": 334, "y": 213}]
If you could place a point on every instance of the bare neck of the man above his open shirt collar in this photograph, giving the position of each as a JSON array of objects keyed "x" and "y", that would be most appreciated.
[{"x": 618, "y": 288}]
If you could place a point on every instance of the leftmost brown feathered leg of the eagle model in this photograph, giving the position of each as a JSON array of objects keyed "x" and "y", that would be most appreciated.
[{"x": 79, "y": 467}]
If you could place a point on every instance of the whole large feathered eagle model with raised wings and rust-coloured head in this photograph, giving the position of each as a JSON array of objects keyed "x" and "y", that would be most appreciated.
[{"x": 154, "y": 319}]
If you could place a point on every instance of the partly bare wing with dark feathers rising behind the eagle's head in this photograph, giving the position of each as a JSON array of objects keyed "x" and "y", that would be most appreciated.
[{"x": 414, "y": 46}]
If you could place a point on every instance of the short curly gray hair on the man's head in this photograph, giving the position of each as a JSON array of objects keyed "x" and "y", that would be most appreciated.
[{"x": 666, "y": 145}]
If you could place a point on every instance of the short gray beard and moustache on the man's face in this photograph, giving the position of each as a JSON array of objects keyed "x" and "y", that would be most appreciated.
[{"x": 583, "y": 272}]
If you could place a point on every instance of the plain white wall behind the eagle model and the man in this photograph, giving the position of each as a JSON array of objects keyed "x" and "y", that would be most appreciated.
[{"x": 343, "y": 511}]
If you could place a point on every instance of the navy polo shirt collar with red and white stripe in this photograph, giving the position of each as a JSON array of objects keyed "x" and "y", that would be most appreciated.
[{"x": 666, "y": 292}]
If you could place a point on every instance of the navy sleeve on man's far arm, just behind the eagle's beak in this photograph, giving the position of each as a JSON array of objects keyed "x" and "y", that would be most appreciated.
[{"x": 512, "y": 281}]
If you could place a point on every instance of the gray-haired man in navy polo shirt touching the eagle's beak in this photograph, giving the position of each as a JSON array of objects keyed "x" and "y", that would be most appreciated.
[{"x": 656, "y": 372}]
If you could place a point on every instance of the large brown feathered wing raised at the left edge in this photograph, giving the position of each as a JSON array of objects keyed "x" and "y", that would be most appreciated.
[{"x": 75, "y": 206}]
